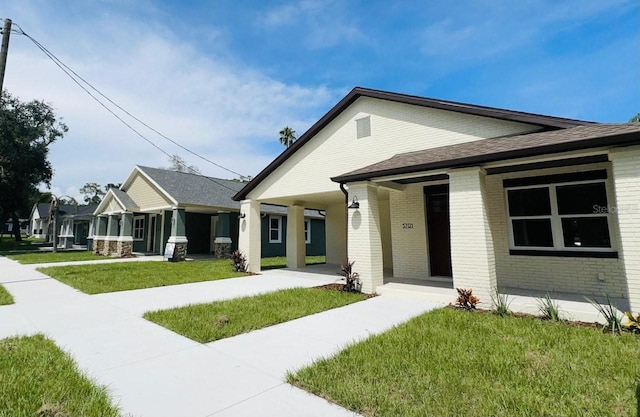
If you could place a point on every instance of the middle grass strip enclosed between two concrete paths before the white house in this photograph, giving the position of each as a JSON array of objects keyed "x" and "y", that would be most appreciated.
[{"x": 203, "y": 323}]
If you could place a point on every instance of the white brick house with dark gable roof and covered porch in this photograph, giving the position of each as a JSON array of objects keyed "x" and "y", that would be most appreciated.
[{"x": 442, "y": 194}]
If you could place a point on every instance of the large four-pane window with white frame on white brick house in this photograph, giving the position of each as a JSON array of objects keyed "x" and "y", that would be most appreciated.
[{"x": 562, "y": 216}]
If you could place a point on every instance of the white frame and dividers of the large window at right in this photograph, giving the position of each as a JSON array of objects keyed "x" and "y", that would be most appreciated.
[{"x": 556, "y": 219}]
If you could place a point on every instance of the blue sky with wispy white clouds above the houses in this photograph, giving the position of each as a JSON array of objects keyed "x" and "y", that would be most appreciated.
[{"x": 222, "y": 77}]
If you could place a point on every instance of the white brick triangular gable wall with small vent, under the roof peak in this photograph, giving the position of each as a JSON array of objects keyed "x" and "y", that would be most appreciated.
[{"x": 395, "y": 128}]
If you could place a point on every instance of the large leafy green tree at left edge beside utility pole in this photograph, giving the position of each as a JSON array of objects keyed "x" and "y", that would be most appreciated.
[{"x": 27, "y": 129}]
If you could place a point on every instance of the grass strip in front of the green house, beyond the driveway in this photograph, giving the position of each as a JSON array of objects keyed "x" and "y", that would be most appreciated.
[{"x": 122, "y": 276}]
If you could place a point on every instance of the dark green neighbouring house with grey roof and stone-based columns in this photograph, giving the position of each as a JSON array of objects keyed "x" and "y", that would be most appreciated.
[{"x": 155, "y": 207}]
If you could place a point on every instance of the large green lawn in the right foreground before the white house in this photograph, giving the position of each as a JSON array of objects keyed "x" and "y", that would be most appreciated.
[{"x": 450, "y": 362}]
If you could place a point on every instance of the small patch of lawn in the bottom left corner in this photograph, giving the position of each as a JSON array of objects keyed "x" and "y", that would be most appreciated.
[{"x": 34, "y": 372}]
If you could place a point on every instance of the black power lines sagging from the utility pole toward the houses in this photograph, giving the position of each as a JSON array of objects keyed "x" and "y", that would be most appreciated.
[{"x": 75, "y": 77}]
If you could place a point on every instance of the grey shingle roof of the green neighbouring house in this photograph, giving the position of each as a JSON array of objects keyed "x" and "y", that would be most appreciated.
[{"x": 195, "y": 189}]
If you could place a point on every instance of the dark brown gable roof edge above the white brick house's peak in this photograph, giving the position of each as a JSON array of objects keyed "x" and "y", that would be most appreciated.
[{"x": 546, "y": 122}]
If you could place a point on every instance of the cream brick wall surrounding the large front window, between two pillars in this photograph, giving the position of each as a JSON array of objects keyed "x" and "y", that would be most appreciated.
[{"x": 548, "y": 273}]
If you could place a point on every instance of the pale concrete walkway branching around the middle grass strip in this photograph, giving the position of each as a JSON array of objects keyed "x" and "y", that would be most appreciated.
[{"x": 153, "y": 372}]
